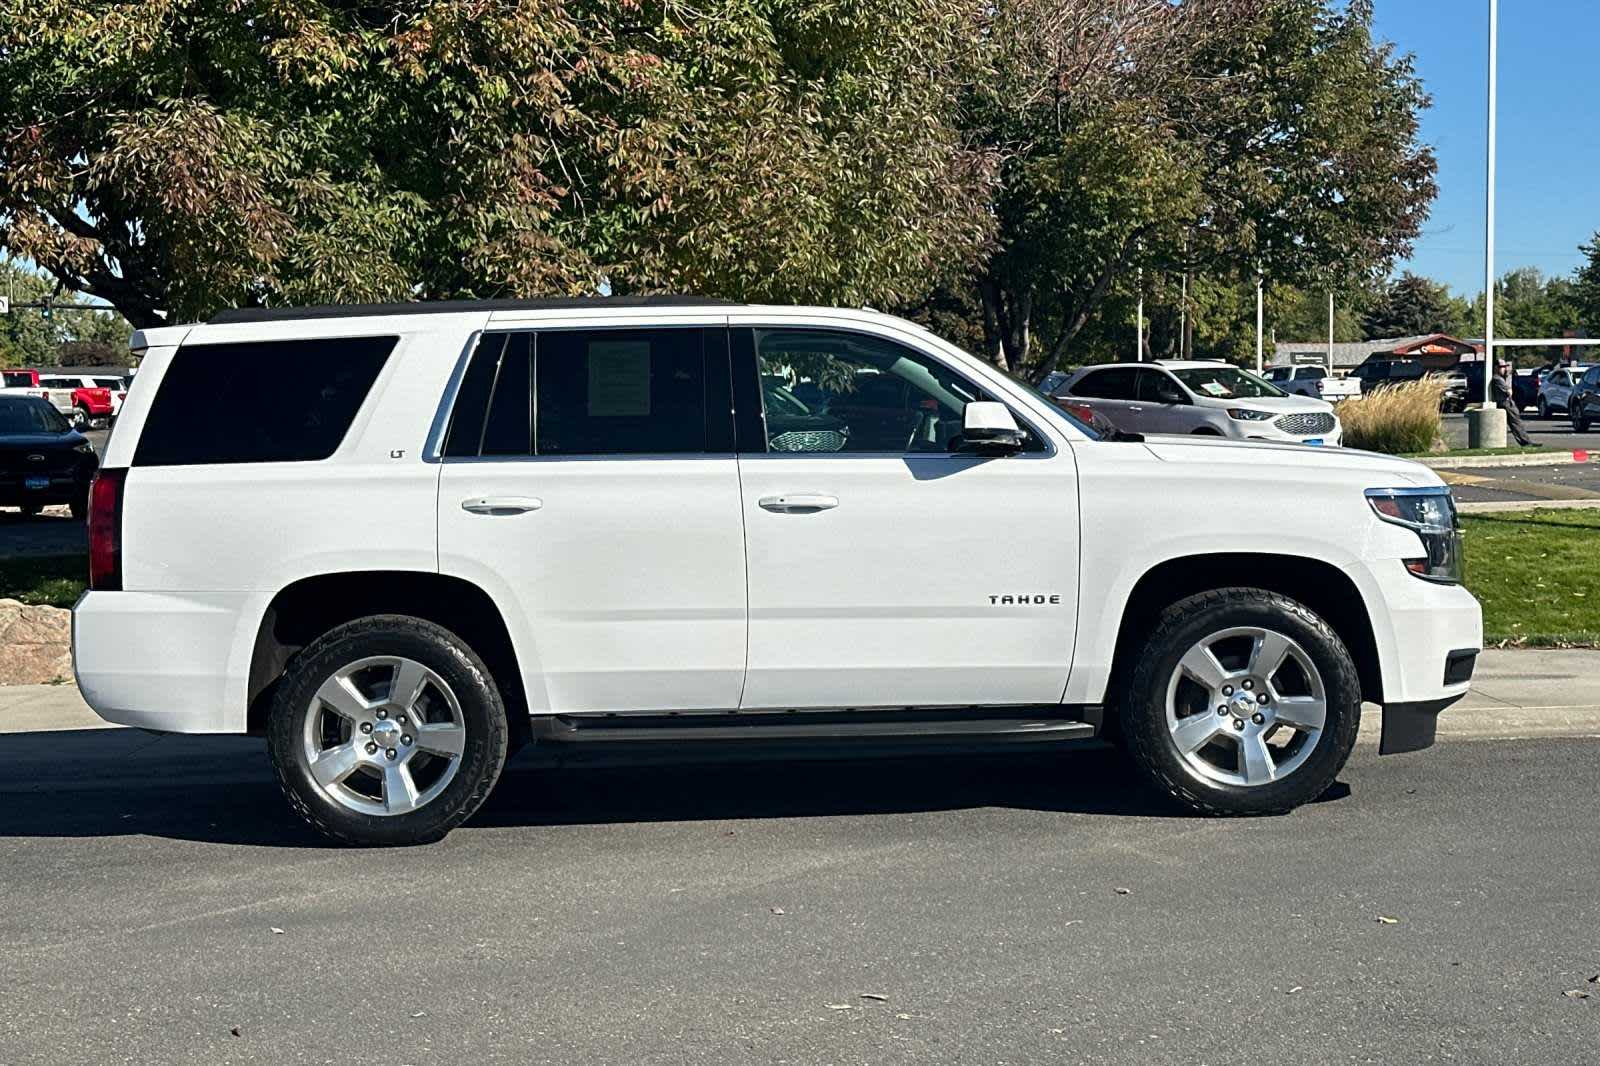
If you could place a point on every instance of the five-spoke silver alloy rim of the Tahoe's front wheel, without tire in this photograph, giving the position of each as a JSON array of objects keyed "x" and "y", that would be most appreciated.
[{"x": 1246, "y": 707}]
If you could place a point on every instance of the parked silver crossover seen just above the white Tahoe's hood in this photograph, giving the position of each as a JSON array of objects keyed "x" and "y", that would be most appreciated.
[{"x": 1201, "y": 398}]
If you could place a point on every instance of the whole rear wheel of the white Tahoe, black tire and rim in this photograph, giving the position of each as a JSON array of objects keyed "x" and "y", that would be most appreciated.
[{"x": 418, "y": 795}]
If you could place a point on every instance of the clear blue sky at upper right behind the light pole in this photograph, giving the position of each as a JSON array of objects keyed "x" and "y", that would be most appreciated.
[{"x": 1550, "y": 142}]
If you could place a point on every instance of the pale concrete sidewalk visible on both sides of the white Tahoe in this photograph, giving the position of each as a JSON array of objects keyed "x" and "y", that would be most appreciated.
[{"x": 1516, "y": 694}]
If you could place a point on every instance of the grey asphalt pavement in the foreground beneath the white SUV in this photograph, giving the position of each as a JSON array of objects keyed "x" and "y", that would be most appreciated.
[{"x": 1006, "y": 912}]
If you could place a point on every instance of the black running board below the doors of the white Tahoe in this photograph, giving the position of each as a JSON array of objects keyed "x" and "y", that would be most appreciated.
[{"x": 934, "y": 727}]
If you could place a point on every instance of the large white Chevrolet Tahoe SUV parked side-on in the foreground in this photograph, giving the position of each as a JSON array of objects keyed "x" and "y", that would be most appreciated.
[{"x": 438, "y": 532}]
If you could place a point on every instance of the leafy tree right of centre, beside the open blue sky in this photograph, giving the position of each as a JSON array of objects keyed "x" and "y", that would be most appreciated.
[{"x": 1228, "y": 138}]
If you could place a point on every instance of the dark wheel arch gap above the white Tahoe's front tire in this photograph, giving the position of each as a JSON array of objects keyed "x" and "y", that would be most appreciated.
[{"x": 1319, "y": 585}]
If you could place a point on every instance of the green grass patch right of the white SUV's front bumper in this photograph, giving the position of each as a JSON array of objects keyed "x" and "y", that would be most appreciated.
[{"x": 1538, "y": 575}]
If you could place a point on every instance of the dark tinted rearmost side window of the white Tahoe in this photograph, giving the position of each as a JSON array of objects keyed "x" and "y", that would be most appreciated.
[{"x": 260, "y": 403}]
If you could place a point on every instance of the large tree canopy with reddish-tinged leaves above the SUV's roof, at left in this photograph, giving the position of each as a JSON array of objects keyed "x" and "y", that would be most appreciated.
[{"x": 182, "y": 156}]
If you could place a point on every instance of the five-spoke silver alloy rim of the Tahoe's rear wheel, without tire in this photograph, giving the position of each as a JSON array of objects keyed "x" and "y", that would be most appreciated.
[{"x": 385, "y": 735}]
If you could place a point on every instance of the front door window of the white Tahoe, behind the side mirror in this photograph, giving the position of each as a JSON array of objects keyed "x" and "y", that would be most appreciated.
[{"x": 850, "y": 393}]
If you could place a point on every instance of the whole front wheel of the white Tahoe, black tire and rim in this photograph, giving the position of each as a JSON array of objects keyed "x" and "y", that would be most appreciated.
[{"x": 1214, "y": 779}]
